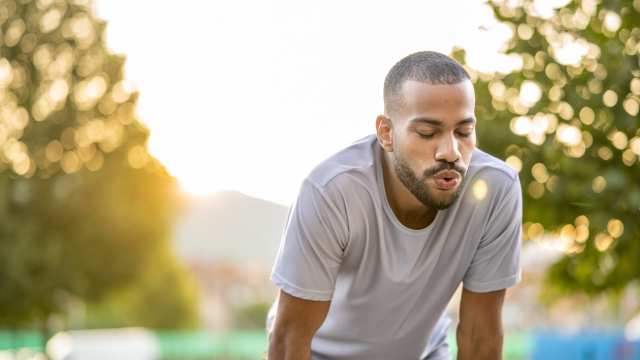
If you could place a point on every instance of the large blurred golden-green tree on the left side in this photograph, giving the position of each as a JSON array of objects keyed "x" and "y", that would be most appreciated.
[{"x": 84, "y": 206}]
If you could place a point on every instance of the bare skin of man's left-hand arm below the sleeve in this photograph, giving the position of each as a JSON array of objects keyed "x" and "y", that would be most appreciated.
[{"x": 296, "y": 321}]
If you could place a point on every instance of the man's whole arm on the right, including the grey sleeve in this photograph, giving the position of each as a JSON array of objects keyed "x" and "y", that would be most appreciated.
[{"x": 495, "y": 266}]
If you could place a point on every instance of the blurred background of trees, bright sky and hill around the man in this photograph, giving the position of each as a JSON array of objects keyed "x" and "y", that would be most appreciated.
[{"x": 149, "y": 152}]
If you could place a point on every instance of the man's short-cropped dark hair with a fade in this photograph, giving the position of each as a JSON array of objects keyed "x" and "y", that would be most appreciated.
[{"x": 425, "y": 66}]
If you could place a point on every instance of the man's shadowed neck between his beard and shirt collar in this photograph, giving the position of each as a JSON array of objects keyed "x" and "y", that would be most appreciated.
[{"x": 410, "y": 211}]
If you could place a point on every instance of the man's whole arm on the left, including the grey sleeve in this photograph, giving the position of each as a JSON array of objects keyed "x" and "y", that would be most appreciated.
[{"x": 306, "y": 269}]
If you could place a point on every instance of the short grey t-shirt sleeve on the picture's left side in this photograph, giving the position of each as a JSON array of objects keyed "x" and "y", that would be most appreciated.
[{"x": 311, "y": 247}]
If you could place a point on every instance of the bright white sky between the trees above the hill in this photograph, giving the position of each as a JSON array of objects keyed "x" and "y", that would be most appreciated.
[{"x": 250, "y": 95}]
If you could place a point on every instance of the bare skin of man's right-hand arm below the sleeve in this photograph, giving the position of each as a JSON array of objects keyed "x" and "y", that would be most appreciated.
[{"x": 479, "y": 334}]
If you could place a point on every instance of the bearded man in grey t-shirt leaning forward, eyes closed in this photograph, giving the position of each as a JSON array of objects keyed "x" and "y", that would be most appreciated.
[{"x": 384, "y": 231}]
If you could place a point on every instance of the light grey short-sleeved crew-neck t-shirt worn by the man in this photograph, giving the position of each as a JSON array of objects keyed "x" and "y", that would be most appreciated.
[{"x": 389, "y": 284}]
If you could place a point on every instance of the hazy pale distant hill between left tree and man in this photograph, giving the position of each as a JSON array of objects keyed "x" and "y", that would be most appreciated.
[{"x": 230, "y": 226}]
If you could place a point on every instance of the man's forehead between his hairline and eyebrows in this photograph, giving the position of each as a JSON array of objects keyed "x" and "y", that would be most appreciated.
[{"x": 420, "y": 97}]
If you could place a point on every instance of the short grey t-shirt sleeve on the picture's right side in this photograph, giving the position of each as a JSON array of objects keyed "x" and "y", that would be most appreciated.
[{"x": 496, "y": 262}]
